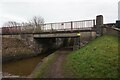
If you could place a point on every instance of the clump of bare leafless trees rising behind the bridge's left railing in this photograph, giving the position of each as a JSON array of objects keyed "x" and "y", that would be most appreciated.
[{"x": 35, "y": 24}]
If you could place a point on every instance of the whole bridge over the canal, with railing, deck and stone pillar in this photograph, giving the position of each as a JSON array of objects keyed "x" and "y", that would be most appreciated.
[{"x": 50, "y": 31}]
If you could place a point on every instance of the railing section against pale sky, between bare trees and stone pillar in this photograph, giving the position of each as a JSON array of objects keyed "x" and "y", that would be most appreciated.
[{"x": 73, "y": 25}]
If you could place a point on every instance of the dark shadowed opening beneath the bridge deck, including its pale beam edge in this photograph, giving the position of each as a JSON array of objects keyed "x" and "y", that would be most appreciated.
[{"x": 57, "y": 40}]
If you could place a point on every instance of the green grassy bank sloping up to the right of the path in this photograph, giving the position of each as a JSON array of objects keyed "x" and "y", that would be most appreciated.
[{"x": 98, "y": 59}]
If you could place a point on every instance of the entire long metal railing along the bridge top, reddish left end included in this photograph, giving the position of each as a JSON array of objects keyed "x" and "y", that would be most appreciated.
[{"x": 51, "y": 27}]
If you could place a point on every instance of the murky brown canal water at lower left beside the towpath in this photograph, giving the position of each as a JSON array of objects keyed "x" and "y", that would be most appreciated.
[{"x": 22, "y": 67}]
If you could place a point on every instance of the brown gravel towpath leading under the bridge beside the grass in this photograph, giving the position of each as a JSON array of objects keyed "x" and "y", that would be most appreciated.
[{"x": 56, "y": 68}]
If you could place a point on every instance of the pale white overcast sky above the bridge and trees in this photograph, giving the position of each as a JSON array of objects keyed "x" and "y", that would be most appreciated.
[{"x": 57, "y": 10}]
